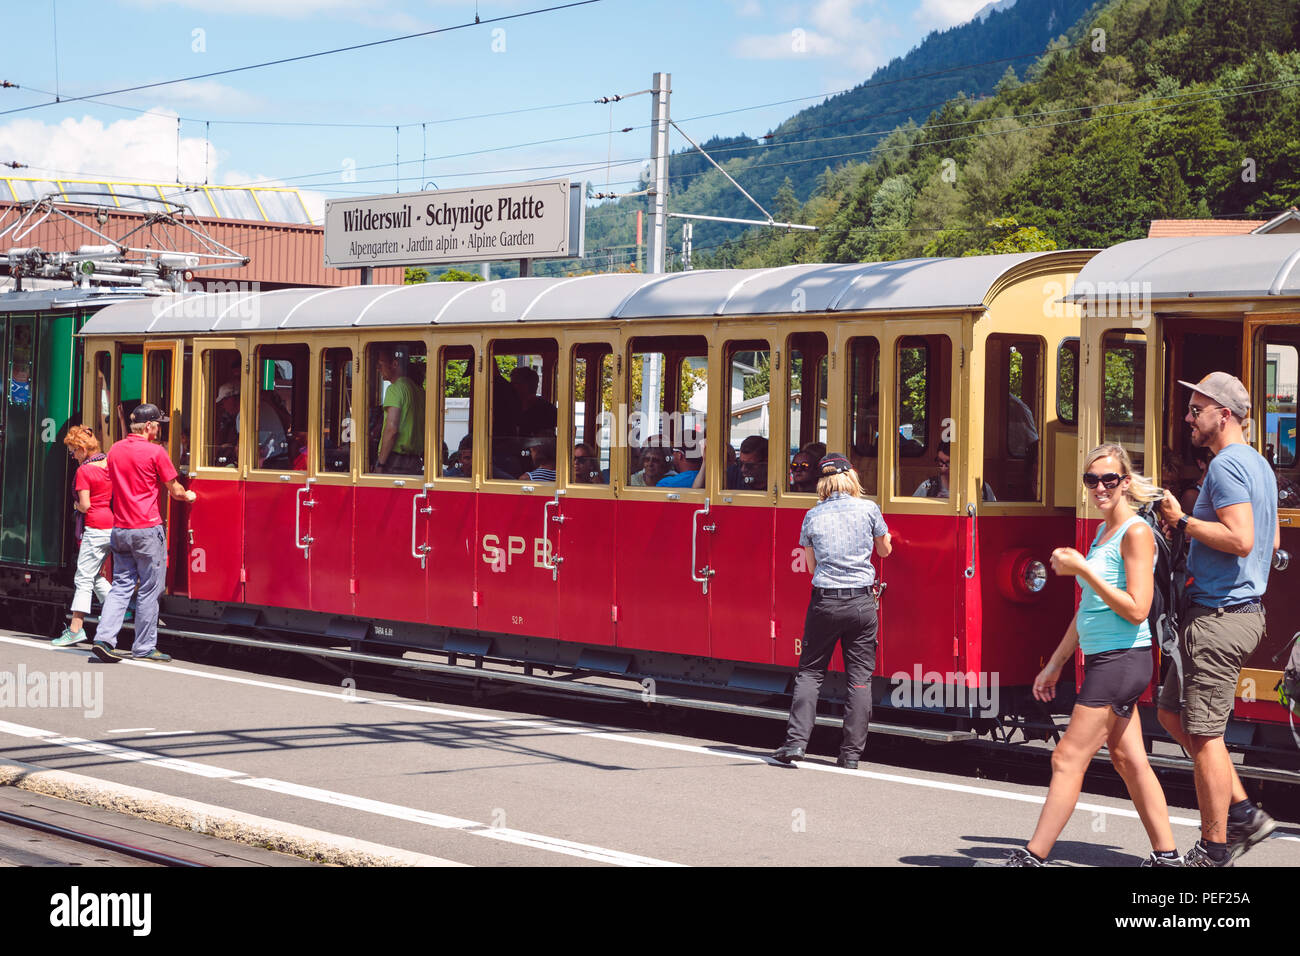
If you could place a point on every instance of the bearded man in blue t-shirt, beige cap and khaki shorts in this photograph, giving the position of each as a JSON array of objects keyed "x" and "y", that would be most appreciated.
[{"x": 1234, "y": 531}]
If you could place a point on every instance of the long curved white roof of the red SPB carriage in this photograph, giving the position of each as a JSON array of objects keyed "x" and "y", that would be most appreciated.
[{"x": 913, "y": 284}]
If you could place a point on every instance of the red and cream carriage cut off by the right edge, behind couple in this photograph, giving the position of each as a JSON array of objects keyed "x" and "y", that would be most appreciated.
[{"x": 1158, "y": 312}]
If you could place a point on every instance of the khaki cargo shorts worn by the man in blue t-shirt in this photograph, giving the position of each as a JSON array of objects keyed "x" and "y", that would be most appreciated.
[{"x": 1214, "y": 647}]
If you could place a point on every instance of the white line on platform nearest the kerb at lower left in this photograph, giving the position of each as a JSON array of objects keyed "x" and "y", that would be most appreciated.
[{"x": 335, "y": 799}]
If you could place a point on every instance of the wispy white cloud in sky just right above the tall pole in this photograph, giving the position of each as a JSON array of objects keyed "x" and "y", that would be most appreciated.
[{"x": 830, "y": 29}]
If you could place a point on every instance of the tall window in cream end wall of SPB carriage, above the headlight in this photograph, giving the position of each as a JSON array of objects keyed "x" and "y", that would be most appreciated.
[{"x": 1013, "y": 416}]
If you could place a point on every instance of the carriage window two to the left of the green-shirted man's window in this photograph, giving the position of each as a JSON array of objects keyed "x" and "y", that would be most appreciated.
[{"x": 280, "y": 406}]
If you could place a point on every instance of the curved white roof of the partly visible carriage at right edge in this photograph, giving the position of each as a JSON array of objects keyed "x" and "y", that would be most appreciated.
[{"x": 1207, "y": 267}]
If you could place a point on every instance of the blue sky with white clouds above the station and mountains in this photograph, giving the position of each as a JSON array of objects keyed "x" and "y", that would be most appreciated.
[{"x": 723, "y": 55}]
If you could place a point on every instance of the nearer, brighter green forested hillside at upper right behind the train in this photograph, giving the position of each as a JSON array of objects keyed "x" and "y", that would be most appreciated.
[{"x": 1150, "y": 110}]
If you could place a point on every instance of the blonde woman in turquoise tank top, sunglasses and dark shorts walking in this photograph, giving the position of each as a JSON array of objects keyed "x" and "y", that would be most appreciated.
[{"x": 1116, "y": 581}]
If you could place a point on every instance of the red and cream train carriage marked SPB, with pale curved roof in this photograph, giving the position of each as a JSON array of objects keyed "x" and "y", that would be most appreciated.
[{"x": 319, "y": 431}]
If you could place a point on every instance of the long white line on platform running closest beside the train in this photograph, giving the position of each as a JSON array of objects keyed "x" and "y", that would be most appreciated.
[{"x": 601, "y": 734}]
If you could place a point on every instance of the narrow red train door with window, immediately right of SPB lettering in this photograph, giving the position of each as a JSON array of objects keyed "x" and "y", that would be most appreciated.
[{"x": 582, "y": 525}]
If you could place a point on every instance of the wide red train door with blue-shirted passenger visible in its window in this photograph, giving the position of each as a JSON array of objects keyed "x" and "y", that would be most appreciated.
[{"x": 664, "y": 526}]
